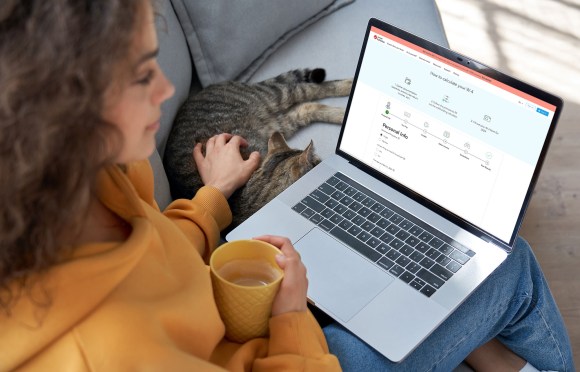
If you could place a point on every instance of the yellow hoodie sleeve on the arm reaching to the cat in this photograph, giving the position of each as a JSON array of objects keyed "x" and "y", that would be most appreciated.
[{"x": 202, "y": 218}]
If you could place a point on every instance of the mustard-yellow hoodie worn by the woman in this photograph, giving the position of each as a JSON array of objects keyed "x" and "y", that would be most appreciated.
[{"x": 147, "y": 303}]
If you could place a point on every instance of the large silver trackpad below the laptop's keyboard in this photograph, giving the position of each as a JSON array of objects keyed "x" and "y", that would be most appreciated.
[{"x": 339, "y": 280}]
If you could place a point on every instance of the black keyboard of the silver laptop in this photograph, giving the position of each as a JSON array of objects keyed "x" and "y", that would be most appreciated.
[{"x": 395, "y": 241}]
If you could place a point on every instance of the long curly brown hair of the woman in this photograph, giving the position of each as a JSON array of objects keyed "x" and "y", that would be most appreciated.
[{"x": 57, "y": 59}]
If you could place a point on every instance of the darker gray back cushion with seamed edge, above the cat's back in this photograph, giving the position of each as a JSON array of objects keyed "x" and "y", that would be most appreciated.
[{"x": 230, "y": 39}]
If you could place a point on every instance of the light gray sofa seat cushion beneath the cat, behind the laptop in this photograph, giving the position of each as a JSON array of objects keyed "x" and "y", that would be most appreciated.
[{"x": 334, "y": 43}]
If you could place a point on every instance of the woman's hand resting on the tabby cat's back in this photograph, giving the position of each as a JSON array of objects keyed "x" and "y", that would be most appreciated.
[{"x": 223, "y": 166}]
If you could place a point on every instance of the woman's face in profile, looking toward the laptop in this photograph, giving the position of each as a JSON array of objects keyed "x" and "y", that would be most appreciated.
[{"x": 134, "y": 105}]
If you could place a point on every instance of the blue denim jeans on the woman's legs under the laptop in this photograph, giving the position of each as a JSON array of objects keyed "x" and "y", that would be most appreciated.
[{"x": 513, "y": 305}]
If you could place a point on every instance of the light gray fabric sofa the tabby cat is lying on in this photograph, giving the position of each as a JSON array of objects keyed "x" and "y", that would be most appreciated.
[{"x": 203, "y": 42}]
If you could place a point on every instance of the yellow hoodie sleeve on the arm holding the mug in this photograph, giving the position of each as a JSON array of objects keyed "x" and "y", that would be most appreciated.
[{"x": 297, "y": 344}]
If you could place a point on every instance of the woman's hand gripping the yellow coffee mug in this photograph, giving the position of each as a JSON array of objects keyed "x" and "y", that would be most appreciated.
[{"x": 291, "y": 296}]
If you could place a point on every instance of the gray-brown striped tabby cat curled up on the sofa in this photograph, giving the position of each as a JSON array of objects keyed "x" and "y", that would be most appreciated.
[{"x": 263, "y": 113}]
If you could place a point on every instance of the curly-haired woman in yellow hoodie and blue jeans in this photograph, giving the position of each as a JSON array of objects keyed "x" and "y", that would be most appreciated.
[{"x": 94, "y": 277}]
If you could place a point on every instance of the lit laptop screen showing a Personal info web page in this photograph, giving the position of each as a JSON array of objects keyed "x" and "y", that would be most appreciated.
[{"x": 447, "y": 130}]
